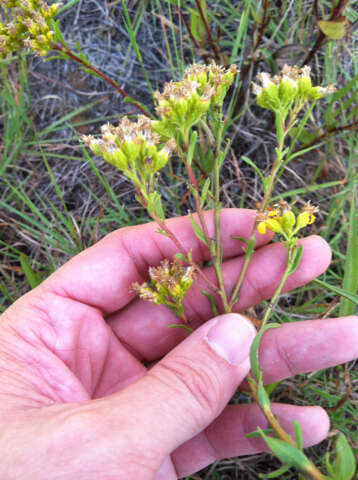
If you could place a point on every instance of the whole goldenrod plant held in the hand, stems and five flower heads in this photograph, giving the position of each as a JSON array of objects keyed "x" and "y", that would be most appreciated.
[{"x": 189, "y": 109}]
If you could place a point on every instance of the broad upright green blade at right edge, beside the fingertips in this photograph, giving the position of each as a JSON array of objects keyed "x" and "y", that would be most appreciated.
[{"x": 350, "y": 279}]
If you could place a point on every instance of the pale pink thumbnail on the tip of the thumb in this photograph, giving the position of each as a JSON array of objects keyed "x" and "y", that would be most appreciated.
[{"x": 231, "y": 337}]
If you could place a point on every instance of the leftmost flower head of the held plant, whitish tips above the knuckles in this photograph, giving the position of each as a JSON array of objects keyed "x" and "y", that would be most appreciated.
[{"x": 133, "y": 147}]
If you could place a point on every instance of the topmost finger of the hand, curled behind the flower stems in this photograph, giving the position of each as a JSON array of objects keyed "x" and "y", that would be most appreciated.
[{"x": 101, "y": 276}]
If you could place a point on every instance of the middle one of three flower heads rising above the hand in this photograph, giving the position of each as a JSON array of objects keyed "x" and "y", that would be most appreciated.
[{"x": 182, "y": 104}]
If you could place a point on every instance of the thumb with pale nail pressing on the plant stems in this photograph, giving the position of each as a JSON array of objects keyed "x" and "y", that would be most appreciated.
[{"x": 184, "y": 392}]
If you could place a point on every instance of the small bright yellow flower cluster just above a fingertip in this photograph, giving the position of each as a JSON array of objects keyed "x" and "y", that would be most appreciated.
[{"x": 283, "y": 221}]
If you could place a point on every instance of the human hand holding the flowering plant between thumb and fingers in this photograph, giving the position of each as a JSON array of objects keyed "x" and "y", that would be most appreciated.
[{"x": 76, "y": 401}]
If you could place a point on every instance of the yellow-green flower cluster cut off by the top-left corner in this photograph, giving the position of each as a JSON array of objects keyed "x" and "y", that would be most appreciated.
[{"x": 28, "y": 24}]
